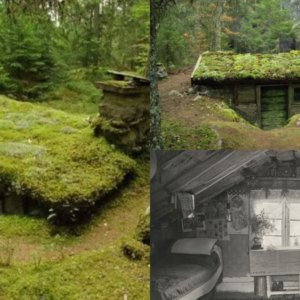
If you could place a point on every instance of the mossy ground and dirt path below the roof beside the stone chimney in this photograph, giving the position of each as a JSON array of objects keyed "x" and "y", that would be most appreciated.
[{"x": 43, "y": 261}]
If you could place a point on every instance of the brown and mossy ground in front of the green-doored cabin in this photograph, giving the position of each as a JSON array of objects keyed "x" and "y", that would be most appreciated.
[{"x": 208, "y": 123}]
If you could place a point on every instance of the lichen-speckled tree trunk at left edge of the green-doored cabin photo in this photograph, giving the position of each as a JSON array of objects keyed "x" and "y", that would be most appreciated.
[{"x": 156, "y": 142}]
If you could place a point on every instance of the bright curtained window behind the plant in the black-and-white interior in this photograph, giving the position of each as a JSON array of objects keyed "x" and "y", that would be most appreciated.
[{"x": 284, "y": 212}]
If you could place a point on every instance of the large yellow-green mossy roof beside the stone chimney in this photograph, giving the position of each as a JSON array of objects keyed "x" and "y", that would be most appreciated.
[{"x": 53, "y": 156}]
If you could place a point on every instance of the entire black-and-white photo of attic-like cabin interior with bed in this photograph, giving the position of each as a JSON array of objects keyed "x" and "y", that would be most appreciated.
[{"x": 225, "y": 224}]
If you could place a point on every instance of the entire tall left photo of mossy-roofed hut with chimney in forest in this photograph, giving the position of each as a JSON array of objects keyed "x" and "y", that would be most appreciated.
[{"x": 74, "y": 149}]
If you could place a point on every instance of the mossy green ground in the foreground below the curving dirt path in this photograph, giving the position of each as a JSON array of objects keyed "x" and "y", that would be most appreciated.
[{"x": 100, "y": 275}]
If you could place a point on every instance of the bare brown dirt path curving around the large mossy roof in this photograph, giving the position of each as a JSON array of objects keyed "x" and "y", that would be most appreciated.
[{"x": 114, "y": 222}]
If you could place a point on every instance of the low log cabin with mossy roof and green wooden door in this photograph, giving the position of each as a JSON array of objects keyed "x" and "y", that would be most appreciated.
[{"x": 264, "y": 87}]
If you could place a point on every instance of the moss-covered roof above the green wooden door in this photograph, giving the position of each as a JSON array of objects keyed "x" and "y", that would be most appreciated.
[{"x": 219, "y": 66}]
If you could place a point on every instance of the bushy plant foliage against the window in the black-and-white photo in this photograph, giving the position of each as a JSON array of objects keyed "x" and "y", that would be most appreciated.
[{"x": 261, "y": 224}]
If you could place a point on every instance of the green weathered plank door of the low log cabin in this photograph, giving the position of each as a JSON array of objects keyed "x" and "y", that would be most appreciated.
[{"x": 274, "y": 107}]
